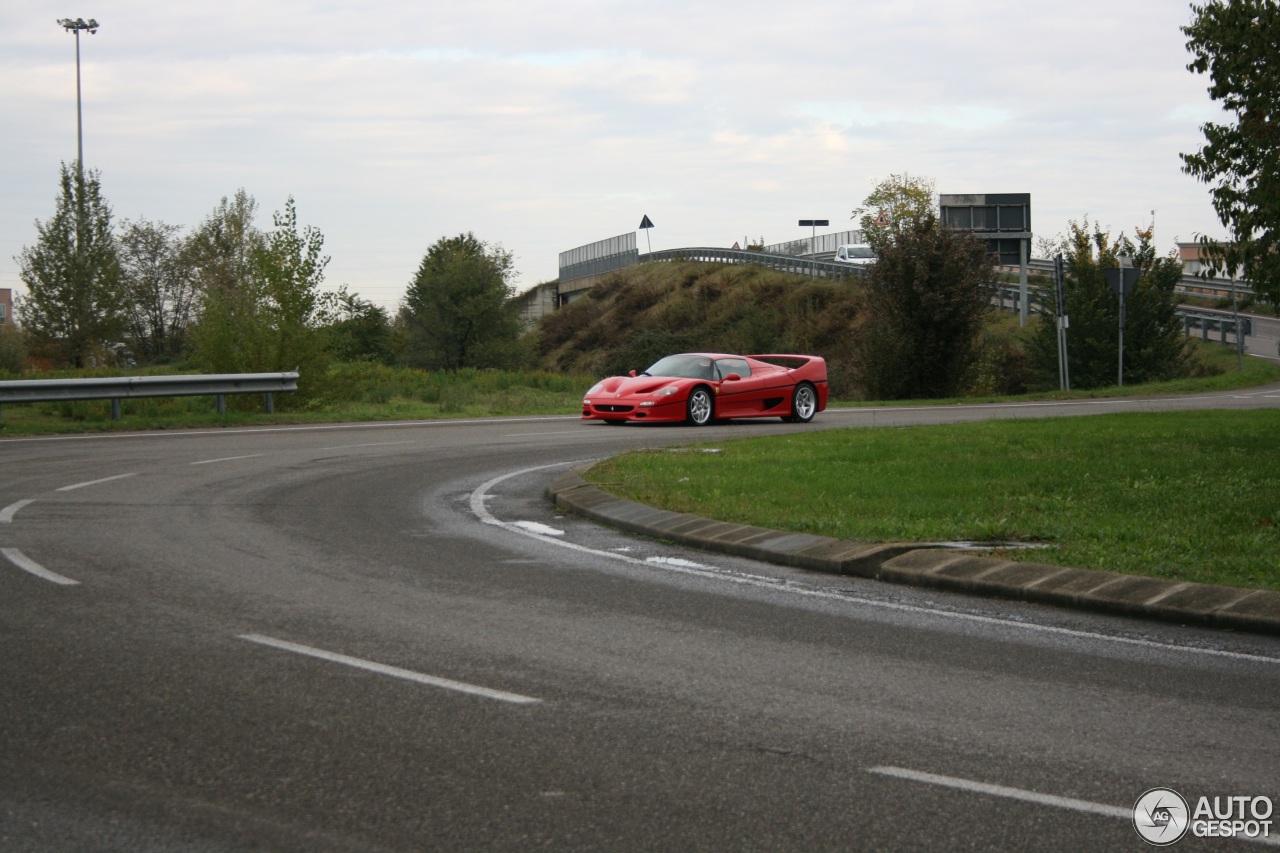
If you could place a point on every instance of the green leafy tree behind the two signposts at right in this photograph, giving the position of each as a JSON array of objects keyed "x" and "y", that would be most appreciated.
[{"x": 1155, "y": 346}]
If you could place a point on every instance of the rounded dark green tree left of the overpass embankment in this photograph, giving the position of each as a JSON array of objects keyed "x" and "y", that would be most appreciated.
[{"x": 459, "y": 309}]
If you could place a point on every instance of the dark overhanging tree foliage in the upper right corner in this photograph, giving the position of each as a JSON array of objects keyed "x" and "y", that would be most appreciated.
[{"x": 1236, "y": 43}]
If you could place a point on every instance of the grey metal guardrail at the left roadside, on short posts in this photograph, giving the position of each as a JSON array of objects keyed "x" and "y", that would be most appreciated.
[{"x": 117, "y": 389}]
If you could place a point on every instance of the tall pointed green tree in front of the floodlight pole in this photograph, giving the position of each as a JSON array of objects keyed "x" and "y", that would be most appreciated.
[{"x": 75, "y": 308}]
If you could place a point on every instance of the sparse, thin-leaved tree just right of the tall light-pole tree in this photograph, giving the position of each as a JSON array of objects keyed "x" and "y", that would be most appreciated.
[{"x": 159, "y": 290}]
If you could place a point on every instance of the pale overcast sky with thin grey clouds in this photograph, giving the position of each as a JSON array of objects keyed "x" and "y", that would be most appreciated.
[{"x": 546, "y": 126}]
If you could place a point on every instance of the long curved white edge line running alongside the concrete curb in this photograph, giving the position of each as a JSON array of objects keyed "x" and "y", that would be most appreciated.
[{"x": 482, "y": 494}]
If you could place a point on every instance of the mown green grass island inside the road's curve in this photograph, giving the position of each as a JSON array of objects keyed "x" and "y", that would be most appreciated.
[{"x": 1190, "y": 496}]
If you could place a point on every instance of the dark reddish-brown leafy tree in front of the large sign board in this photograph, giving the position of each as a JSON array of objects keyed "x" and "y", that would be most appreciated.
[{"x": 927, "y": 298}]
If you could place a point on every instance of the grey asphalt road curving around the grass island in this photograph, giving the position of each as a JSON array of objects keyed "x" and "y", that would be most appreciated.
[{"x": 385, "y": 638}]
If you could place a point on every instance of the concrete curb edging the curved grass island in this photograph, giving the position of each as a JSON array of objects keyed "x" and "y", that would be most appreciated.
[{"x": 1246, "y": 610}]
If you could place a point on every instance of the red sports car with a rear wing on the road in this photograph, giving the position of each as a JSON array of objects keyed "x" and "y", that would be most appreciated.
[{"x": 701, "y": 387}]
